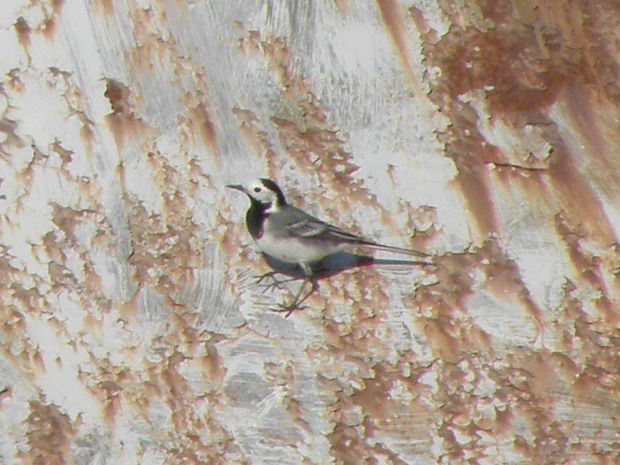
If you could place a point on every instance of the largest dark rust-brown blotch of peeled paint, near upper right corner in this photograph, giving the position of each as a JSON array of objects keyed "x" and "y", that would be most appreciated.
[{"x": 517, "y": 69}]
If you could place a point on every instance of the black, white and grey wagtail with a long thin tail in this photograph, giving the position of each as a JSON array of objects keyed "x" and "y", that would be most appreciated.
[{"x": 293, "y": 236}]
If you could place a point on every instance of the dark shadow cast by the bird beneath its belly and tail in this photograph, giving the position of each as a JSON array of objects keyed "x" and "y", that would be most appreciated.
[{"x": 333, "y": 264}]
